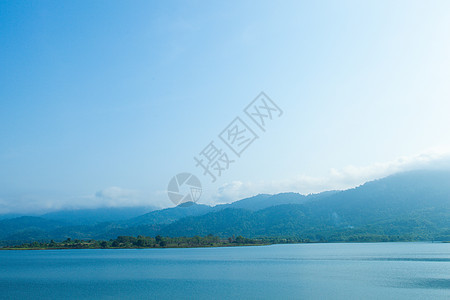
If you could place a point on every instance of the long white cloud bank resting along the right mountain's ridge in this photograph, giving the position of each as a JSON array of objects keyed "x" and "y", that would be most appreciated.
[{"x": 345, "y": 178}]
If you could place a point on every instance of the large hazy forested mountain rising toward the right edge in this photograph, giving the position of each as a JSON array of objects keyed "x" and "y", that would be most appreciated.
[{"x": 413, "y": 204}]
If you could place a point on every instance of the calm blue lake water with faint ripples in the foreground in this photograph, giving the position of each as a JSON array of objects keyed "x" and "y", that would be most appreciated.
[{"x": 304, "y": 271}]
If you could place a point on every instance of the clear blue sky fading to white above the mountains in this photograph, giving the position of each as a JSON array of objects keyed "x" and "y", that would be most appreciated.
[{"x": 102, "y": 103}]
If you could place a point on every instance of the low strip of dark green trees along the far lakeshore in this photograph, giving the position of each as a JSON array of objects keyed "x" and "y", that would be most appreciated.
[{"x": 130, "y": 242}]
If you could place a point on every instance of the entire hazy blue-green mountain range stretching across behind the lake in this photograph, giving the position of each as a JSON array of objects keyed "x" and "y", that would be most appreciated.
[{"x": 406, "y": 206}]
